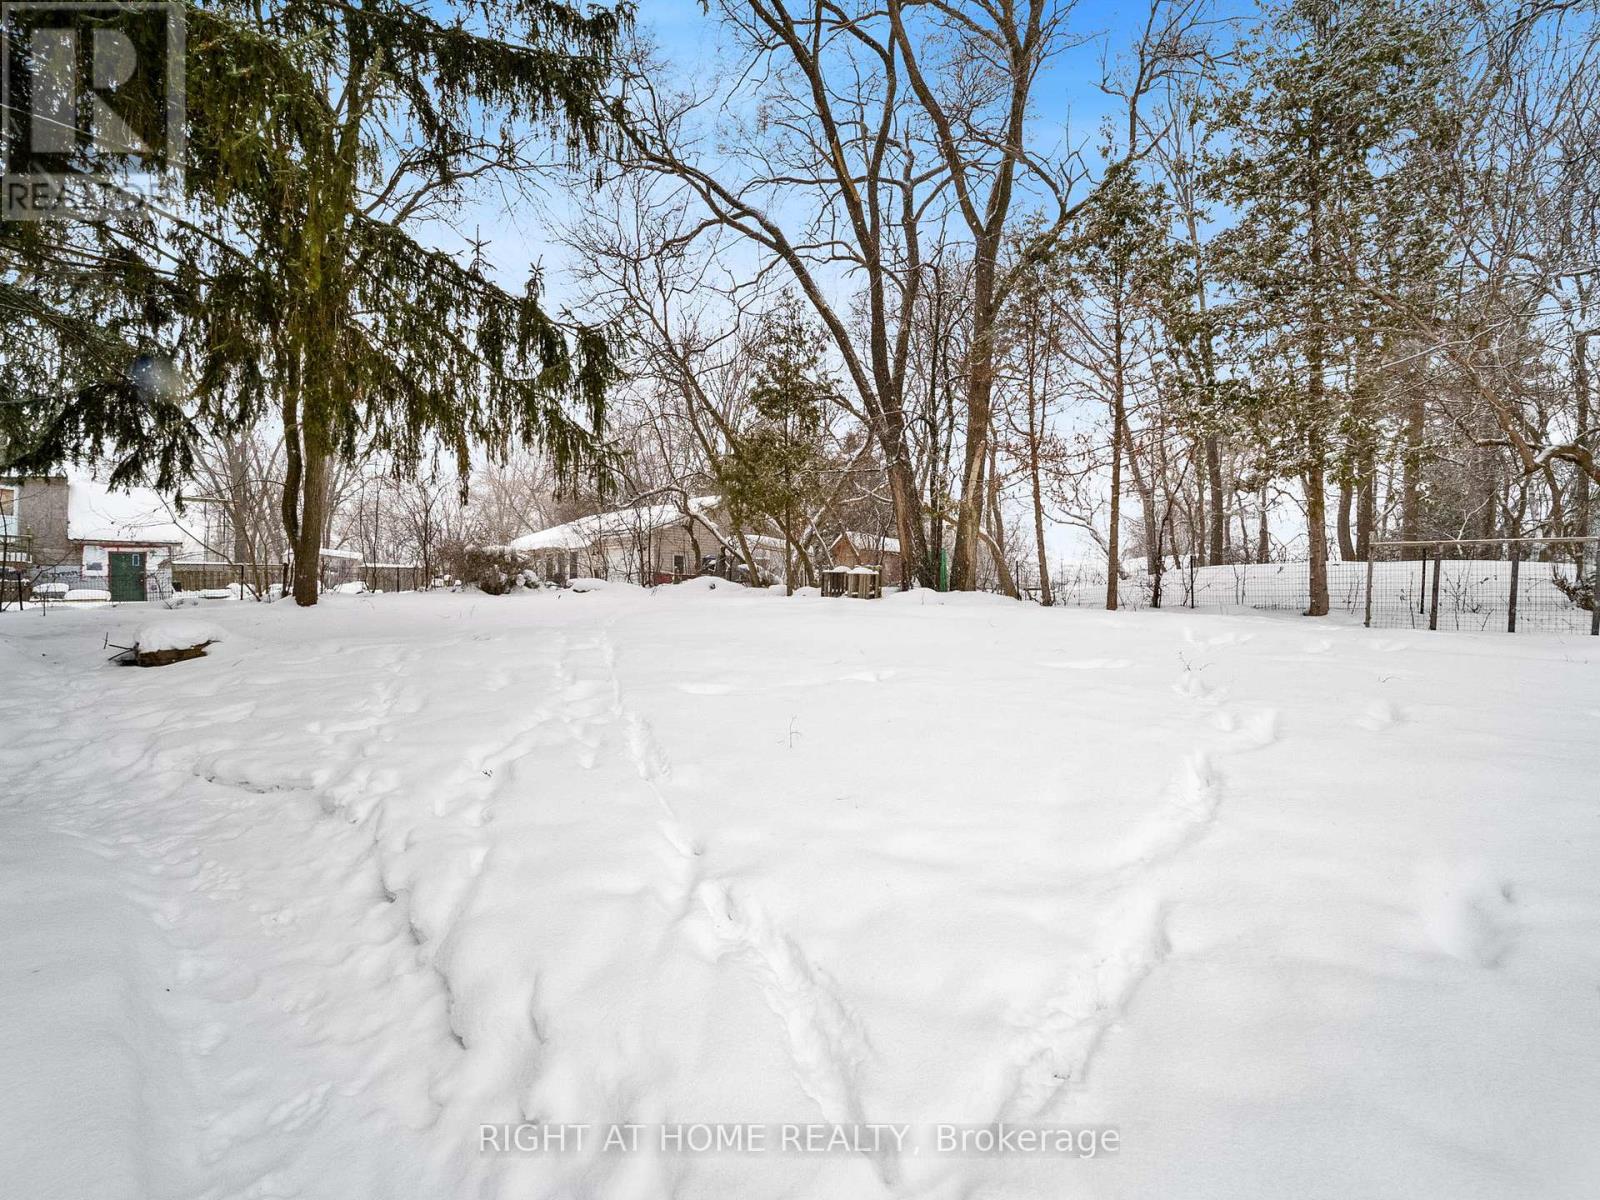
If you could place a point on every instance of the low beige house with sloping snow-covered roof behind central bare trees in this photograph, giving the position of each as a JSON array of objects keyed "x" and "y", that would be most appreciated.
[{"x": 644, "y": 545}]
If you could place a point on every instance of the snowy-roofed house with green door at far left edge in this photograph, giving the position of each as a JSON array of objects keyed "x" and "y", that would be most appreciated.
[{"x": 79, "y": 535}]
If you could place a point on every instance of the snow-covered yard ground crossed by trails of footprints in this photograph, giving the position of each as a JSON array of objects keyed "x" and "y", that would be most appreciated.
[{"x": 1294, "y": 910}]
